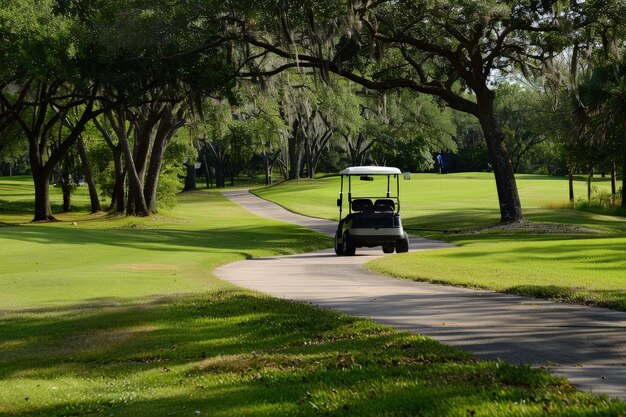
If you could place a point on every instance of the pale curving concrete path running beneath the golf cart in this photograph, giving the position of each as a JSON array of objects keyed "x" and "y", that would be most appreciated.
[{"x": 586, "y": 345}]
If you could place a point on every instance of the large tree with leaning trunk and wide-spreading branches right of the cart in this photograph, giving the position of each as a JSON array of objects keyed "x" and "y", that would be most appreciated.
[{"x": 439, "y": 48}]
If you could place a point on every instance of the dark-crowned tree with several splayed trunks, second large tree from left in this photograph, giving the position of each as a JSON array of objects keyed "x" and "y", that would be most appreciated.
[{"x": 150, "y": 82}]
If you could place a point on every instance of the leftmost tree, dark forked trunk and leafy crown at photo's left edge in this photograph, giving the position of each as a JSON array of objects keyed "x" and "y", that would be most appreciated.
[{"x": 43, "y": 80}]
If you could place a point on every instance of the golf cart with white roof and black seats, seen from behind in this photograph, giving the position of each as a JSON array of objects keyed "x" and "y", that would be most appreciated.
[{"x": 371, "y": 221}]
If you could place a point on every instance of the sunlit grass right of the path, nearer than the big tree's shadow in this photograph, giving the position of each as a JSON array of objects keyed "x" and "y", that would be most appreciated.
[{"x": 580, "y": 270}]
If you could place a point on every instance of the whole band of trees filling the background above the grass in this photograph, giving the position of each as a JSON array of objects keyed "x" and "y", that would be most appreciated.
[{"x": 134, "y": 98}]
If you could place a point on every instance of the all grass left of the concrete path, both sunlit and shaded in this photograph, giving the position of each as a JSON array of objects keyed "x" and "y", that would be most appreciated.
[{"x": 122, "y": 317}]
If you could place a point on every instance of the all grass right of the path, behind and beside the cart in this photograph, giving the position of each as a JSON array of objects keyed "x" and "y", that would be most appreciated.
[{"x": 577, "y": 267}]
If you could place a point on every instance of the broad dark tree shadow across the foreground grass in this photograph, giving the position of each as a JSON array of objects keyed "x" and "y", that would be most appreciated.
[{"x": 233, "y": 353}]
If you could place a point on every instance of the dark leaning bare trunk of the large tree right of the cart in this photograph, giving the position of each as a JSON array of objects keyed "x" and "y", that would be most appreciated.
[{"x": 508, "y": 196}]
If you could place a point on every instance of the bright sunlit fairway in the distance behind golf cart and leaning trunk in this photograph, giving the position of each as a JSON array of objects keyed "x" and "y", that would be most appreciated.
[{"x": 450, "y": 201}]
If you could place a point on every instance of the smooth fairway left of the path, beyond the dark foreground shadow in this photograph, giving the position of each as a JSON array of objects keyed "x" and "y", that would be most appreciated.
[{"x": 99, "y": 259}]
